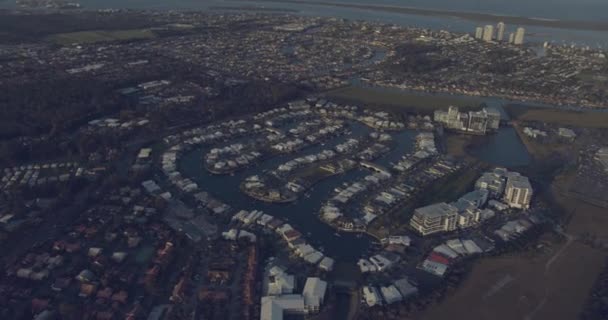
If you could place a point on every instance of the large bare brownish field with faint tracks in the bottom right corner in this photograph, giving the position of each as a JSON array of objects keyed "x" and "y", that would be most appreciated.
[{"x": 548, "y": 285}]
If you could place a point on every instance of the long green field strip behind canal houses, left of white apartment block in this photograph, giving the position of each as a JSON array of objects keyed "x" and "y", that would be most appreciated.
[{"x": 396, "y": 101}]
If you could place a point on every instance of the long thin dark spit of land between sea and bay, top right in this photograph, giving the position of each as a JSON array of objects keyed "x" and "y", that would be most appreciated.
[{"x": 471, "y": 16}]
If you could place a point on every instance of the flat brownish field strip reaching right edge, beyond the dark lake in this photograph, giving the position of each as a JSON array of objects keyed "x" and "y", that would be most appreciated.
[{"x": 560, "y": 117}]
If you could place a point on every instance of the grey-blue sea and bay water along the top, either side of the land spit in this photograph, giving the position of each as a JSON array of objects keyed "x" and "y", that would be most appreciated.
[{"x": 586, "y": 10}]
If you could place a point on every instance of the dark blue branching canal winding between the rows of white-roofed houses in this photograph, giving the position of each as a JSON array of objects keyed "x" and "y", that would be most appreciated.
[{"x": 301, "y": 214}]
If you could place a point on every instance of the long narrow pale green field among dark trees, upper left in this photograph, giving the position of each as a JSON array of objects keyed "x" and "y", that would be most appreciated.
[{"x": 101, "y": 36}]
